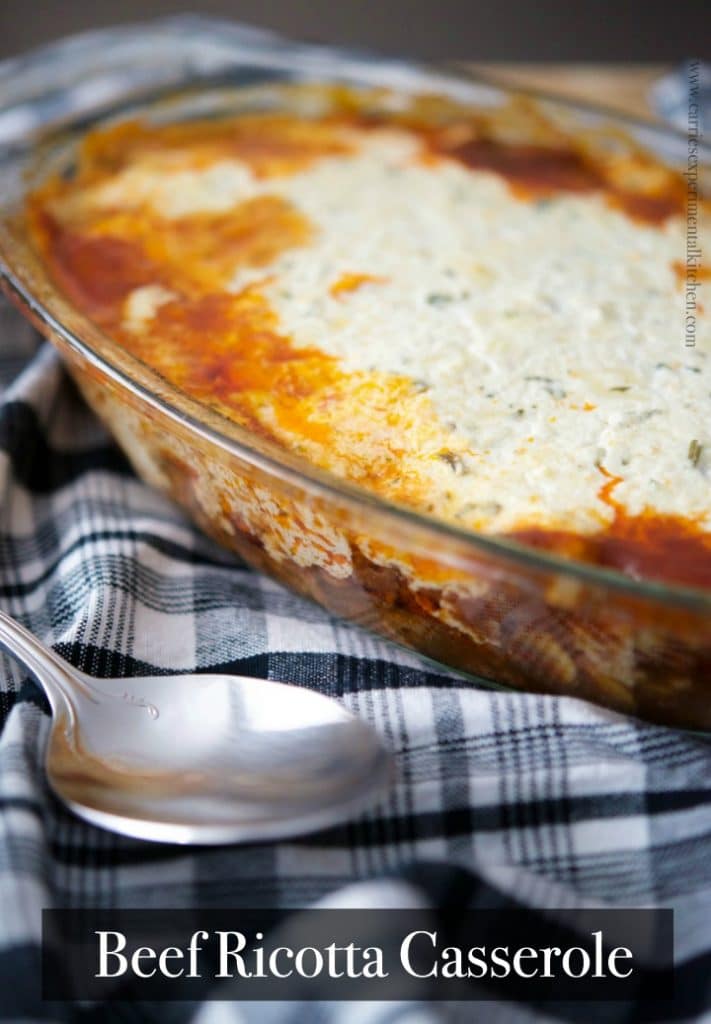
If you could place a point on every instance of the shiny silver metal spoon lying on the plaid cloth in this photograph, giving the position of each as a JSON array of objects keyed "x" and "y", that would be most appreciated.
[{"x": 200, "y": 759}]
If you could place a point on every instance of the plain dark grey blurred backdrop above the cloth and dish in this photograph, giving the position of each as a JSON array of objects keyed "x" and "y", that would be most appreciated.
[{"x": 497, "y": 30}]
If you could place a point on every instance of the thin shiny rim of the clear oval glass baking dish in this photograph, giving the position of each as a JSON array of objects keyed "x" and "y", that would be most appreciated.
[{"x": 282, "y": 463}]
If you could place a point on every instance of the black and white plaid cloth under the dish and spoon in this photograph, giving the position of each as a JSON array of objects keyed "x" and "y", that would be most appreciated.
[{"x": 503, "y": 799}]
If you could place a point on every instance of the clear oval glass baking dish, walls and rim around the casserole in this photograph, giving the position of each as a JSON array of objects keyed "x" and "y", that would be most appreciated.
[{"x": 488, "y": 607}]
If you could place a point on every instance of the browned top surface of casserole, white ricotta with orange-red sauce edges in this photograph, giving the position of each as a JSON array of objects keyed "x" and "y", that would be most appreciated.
[{"x": 490, "y": 333}]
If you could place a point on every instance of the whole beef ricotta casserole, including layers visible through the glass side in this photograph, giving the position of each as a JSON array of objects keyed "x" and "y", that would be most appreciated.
[{"x": 474, "y": 315}]
